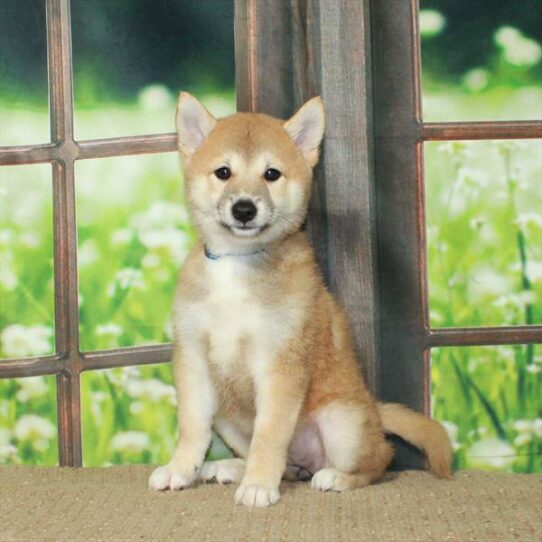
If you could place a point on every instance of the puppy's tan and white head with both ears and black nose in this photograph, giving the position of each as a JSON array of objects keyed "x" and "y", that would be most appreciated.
[{"x": 248, "y": 176}]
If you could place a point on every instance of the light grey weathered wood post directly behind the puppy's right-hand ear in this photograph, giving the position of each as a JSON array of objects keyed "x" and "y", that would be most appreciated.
[{"x": 333, "y": 60}]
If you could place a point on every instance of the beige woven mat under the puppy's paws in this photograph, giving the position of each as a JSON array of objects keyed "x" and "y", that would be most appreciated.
[{"x": 42, "y": 504}]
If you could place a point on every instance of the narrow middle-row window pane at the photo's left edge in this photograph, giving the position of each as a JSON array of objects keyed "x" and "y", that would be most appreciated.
[{"x": 26, "y": 261}]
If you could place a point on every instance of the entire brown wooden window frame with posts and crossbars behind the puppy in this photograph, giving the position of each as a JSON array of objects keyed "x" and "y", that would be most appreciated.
[{"x": 367, "y": 219}]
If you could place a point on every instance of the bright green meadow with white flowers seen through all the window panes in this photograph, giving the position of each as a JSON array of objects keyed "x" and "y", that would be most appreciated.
[{"x": 484, "y": 225}]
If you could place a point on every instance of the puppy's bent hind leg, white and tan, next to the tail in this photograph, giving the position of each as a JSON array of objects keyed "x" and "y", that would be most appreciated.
[{"x": 357, "y": 452}]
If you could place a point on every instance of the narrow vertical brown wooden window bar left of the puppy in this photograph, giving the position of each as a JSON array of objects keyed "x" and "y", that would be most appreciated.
[{"x": 65, "y": 234}]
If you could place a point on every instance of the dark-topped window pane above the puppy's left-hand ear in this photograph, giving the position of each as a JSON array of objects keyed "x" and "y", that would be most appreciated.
[{"x": 132, "y": 57}]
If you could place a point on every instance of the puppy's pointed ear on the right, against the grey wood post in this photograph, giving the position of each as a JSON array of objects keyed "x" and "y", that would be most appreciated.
[{"x": 306, "y": 128}]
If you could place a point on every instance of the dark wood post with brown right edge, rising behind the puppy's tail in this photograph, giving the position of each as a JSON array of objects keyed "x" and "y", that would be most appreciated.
[{"x": 399, "y": 181}]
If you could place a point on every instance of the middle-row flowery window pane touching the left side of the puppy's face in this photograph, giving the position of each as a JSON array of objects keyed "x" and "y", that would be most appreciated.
[{"x": 133, "y": 235}]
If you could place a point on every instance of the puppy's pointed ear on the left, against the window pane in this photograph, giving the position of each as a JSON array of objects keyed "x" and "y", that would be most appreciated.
[{"x": 194, "y": 124}]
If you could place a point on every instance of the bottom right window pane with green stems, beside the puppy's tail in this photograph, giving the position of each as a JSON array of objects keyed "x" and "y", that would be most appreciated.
[{"x": 488, "y": 398}]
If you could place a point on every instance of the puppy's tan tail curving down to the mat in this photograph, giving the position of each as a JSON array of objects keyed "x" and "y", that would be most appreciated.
[{"x": 423, "y": 432}]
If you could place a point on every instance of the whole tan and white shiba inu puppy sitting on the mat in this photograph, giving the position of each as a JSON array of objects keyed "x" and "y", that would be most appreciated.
[{"x": 262, "y": 351}]
